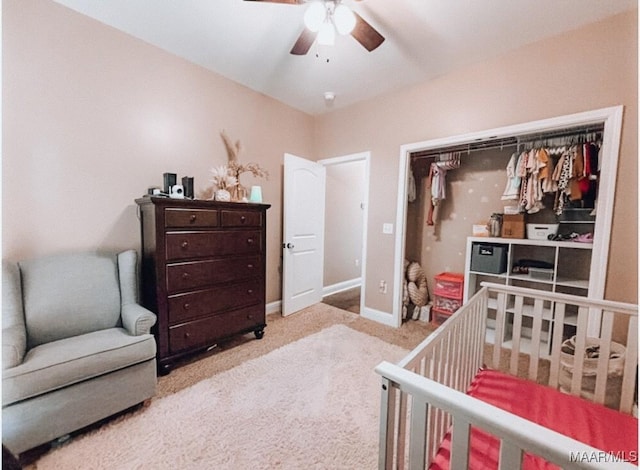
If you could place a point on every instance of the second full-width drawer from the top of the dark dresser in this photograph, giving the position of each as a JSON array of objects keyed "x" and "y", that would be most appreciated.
[{"x": 198, "y": 274}]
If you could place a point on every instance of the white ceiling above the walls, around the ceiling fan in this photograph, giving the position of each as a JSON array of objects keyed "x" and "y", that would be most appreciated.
[{"x": 249, "y": 42}]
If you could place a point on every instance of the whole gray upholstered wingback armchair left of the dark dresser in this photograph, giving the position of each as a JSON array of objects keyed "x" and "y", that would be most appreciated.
[{"x": 76, "y": 346}]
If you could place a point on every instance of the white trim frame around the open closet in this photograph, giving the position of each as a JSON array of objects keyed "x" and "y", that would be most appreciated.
[{"x": 612, "y": 119}]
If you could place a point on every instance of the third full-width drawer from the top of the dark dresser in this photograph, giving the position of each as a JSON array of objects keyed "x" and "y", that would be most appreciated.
[{"x": 187, "y": 306}]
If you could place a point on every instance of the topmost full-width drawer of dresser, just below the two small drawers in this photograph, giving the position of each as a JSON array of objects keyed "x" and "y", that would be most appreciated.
[{"x": 188, "y": 245}]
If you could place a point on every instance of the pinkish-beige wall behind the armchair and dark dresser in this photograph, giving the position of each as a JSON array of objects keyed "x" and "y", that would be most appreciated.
[{"x": 93, "y": 117}]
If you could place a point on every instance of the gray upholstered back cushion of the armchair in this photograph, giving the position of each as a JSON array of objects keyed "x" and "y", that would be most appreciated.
[{"x": 69, "y": 295}]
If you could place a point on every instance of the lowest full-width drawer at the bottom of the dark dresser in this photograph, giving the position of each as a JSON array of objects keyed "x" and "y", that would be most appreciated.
[{"x": 206, "y": 331}]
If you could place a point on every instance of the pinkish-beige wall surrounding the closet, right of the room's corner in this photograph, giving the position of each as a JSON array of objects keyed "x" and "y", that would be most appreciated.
[{"x": 590, "y": 68}]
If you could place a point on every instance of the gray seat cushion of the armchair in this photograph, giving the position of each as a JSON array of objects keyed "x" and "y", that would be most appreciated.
[{"x": 64, "y": 362}]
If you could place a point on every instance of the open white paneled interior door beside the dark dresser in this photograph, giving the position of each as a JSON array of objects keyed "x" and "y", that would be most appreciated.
[{"x": 303, "y": 233}]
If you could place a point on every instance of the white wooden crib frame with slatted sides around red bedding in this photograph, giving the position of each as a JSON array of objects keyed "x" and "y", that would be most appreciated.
[{"x": 423, "y": 397}]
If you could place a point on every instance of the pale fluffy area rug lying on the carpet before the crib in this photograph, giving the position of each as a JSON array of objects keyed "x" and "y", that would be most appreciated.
[{"x": 313, "y": 403}]
